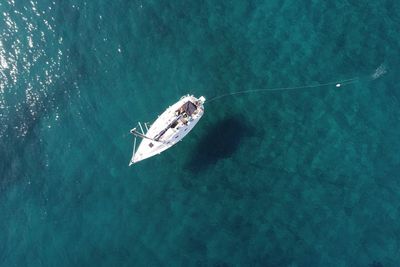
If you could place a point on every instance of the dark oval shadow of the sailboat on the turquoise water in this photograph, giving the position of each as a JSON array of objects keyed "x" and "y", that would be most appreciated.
[{"x": 220, "y": 141}]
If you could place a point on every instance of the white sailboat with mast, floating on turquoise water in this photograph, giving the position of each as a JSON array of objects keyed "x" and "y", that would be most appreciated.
[{"x": 168, "y": 129}]
